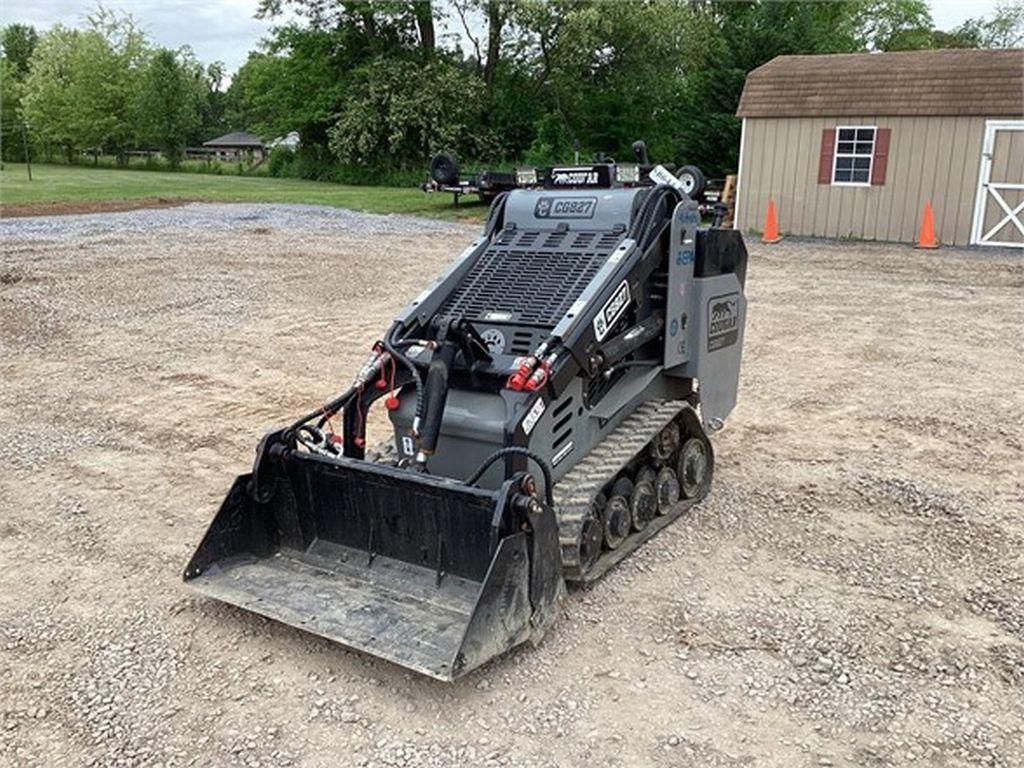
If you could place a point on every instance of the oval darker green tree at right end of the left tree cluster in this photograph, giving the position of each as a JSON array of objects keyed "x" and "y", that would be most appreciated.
[{"x": 168, "y": 103}]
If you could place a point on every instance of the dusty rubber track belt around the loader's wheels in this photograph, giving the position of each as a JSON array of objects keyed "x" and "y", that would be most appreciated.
[{"x": 577, "y": 490}]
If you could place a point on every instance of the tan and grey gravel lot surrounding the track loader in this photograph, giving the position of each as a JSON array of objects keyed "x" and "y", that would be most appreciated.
[{"x": 851, "y": 594}]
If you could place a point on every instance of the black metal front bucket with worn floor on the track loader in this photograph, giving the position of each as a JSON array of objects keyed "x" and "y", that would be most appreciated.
[{"x": 423, "y": 572}]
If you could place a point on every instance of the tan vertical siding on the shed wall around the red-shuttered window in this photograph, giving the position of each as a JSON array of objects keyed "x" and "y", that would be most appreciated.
[{"x": 930, "y": 159}]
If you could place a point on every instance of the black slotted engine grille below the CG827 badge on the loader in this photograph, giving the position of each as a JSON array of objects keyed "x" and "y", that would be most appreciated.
[{"x": 531, "y": 276}]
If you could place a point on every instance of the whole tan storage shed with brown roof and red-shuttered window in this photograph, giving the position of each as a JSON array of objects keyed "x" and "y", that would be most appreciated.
[{"x": 854, "y": 146}]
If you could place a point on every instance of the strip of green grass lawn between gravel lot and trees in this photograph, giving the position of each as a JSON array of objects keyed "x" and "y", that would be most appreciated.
[{"x": 56, "y": 184}]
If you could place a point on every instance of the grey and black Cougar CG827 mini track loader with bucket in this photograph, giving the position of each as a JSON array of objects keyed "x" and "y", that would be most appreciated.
[{"x": 551, "y": 395}]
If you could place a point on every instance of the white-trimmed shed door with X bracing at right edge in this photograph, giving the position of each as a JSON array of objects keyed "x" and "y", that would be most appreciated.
[{"x": 999, "y": 209}]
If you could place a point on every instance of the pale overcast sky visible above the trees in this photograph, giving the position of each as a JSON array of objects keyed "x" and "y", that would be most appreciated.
[{"x": 227, "y": 30}]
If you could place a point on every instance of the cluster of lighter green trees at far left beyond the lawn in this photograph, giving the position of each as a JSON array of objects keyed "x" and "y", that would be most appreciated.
[{"x": 105, "y": 90}]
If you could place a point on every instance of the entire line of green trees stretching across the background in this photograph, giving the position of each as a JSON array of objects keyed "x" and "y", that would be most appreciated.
[{"x": 375, "y": 88}]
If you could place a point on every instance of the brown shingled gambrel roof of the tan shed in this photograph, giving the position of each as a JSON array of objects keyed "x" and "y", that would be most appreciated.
[{"x": 934, "y": 82}]
